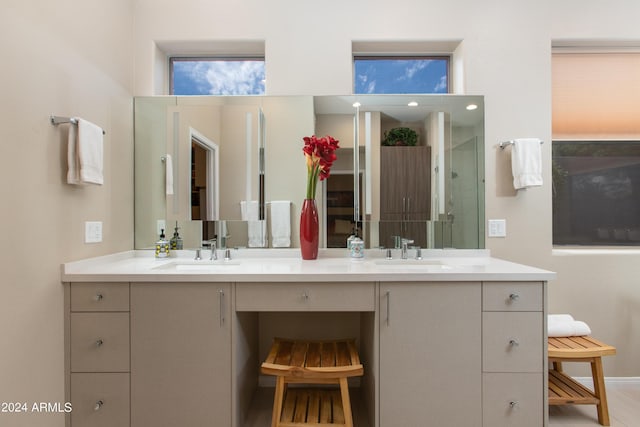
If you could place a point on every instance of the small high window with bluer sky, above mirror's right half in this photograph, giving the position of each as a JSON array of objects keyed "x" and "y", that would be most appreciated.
[{"x": 398, "y": 74}]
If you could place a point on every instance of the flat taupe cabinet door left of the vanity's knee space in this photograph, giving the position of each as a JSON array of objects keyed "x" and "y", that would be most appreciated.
[{"x": 180, "y": 354}]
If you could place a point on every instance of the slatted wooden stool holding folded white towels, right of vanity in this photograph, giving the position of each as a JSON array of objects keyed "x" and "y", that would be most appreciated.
[{"x": 564, "y": 390}]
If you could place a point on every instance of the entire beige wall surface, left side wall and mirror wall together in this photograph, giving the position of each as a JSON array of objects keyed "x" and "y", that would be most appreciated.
[{"x": 72, "y": 57}]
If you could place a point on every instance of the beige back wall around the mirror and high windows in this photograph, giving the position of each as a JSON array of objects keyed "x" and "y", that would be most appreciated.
[{"x": 505, "y": 55}]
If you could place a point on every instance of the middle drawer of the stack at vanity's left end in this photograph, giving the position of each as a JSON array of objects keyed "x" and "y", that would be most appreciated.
[{"x": 99, "y": 342}]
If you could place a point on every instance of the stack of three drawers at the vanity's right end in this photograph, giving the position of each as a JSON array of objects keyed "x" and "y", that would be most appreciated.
[{"x": 513, "y": 354}]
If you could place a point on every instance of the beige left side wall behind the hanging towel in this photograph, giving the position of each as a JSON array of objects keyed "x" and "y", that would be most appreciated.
[{"x": 69, "y": 58}]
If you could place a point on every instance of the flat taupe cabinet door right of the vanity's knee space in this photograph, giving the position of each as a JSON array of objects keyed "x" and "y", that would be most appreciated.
[{"x": 430, "y": 354}]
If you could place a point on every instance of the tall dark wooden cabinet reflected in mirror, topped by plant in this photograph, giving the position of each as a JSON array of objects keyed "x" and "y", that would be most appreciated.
[{"x": 405, "y": 188}]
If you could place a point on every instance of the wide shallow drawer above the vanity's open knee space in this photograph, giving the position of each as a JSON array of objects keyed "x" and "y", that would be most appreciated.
[{"x": 314, "y": 296}]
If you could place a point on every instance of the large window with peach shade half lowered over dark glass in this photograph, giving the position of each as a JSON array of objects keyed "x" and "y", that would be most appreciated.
[{"x": 596, "y": 149}]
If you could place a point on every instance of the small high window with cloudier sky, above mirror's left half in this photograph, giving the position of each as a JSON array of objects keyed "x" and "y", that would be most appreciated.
[{"x": 217, "y": 76}]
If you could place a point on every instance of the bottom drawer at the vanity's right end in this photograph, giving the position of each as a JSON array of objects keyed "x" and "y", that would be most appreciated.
[{"x": 513, "y": 400}]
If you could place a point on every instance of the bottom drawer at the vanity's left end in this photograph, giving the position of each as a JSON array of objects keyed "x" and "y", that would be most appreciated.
[{"x": 100, "y": 400}]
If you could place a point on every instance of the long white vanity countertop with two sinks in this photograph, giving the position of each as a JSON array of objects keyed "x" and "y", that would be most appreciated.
[{"x": 286, "y": 265}]
